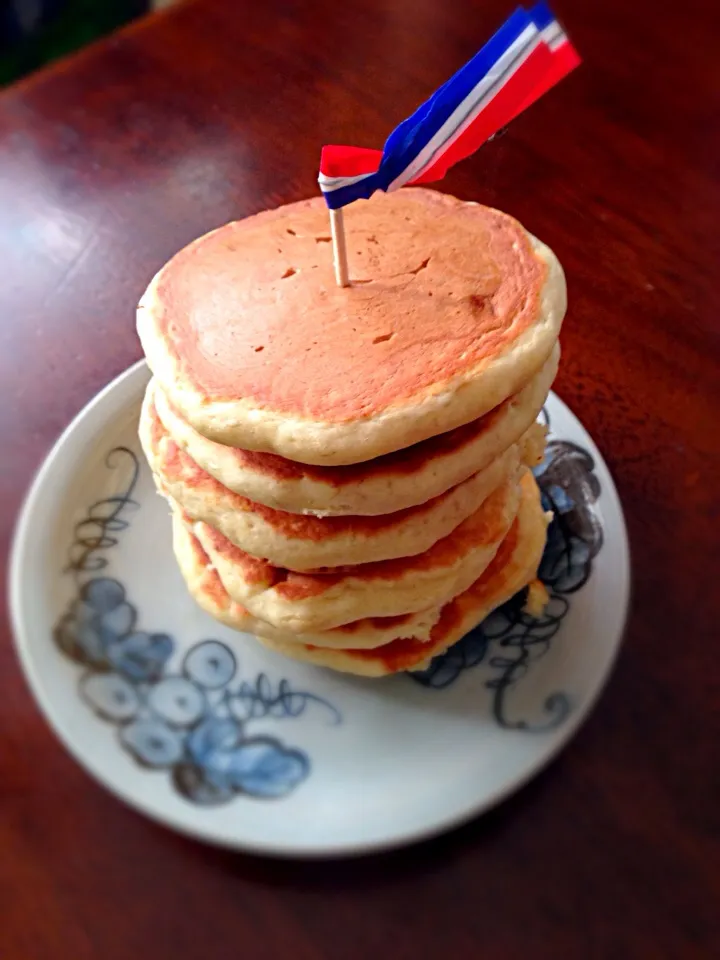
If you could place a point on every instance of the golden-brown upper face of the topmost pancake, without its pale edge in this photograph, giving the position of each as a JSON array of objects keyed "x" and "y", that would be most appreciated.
[{"x": 439, "y": 287}]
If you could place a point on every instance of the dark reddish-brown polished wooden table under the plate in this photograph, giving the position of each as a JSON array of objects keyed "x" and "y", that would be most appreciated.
[{"x": 112, "y": 161}]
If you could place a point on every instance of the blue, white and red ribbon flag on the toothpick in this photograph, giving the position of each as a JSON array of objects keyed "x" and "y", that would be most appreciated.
[{"x": 527, "y": 56}]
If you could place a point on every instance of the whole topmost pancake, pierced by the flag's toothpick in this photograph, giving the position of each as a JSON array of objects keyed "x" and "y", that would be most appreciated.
[{"x": 452, "y": 308}]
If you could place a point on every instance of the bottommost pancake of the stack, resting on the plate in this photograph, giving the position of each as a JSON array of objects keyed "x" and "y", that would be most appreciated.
[{"x": 513, "y": 567}]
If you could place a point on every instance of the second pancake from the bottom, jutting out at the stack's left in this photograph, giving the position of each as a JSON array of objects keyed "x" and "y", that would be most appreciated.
[{"x": 206, "y": 588}]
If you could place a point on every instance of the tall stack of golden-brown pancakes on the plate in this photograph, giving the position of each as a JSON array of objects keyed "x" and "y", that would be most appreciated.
[{"x": 348, "y": 467}]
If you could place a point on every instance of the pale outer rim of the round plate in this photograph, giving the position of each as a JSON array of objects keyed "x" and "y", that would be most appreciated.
[{"x": 335, "y": 849}]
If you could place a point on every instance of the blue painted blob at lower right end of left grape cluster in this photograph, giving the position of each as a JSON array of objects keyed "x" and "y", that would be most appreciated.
[{"x": 262, "y": 767}]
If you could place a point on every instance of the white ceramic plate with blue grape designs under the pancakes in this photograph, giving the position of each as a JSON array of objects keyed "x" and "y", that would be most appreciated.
[{"x": 211, "y": 734}]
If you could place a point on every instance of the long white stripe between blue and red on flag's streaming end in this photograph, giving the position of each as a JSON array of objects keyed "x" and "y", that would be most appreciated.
[{"x": 466, "y": 112}]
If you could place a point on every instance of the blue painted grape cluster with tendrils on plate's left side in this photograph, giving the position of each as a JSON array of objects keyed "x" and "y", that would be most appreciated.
[{"x": 195, "y": 722}]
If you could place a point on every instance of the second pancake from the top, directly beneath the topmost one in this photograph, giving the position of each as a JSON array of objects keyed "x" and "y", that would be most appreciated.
[{"x": 390, "y": 483}]
